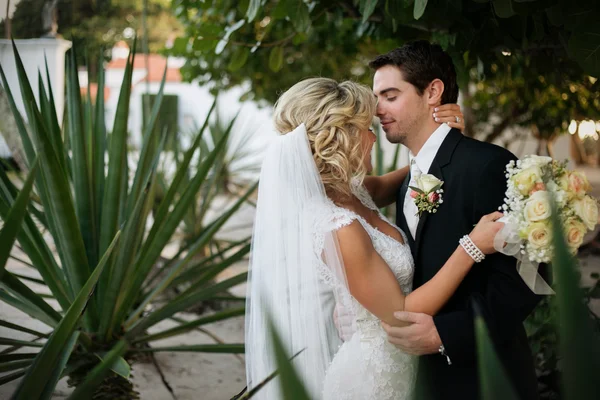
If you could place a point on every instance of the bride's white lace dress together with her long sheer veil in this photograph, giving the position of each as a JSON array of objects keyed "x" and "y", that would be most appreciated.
[{"x": 297, "y": 277}]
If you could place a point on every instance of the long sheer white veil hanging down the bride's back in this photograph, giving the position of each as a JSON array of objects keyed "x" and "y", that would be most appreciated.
[{"x": 290, "y": 256}]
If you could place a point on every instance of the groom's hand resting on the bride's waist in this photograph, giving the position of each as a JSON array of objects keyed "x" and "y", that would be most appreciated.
[{"x": 418, "y": 337}]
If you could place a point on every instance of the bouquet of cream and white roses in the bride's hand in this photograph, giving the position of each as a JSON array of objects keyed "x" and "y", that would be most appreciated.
[{"x": 528, "y": 233}]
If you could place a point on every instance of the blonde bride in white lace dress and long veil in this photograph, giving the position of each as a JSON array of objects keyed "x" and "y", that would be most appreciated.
[{"x": 321, "y": 244}]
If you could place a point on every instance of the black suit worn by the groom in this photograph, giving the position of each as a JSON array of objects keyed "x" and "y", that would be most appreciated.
[{"x": 474, "y": 185}]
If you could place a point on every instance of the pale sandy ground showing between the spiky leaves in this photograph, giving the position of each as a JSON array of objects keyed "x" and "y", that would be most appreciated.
[{"x": 210, "y": 376}]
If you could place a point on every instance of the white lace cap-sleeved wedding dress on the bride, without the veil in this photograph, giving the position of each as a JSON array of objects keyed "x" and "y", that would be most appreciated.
[{"x": 367, "y": 367}]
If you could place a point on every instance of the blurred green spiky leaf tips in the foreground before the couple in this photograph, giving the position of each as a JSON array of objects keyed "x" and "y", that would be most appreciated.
[{"x": 578, "y": 342}]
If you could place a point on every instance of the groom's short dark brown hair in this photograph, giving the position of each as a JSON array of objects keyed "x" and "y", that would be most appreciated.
[{"x": 421, "y": 62}]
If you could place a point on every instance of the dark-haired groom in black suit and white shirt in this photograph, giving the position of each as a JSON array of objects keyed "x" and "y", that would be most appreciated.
[{"x": 409, "y": 83}]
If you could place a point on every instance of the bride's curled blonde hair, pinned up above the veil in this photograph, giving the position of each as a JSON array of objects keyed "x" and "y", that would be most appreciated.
[{"x": 334, "y": 115}]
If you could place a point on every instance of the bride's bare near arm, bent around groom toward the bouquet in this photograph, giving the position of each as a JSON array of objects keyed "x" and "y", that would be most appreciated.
[{"x": 373, "y": 284}]
